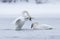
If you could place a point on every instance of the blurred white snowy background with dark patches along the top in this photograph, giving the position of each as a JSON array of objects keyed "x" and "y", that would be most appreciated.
[{"x": 41, "y": 8}]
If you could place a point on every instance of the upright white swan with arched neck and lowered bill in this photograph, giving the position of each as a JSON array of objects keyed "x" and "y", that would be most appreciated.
[{"x": 20, "y": 21}]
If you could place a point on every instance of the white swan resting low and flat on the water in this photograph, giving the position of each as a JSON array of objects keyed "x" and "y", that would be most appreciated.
[{"x": 37, "y": 25}]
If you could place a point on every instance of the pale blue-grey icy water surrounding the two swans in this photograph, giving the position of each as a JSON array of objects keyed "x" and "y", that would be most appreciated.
[{"x": 7, "y": 31}]
